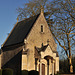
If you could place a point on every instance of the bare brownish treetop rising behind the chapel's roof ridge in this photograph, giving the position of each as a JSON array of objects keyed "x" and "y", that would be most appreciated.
[{"x": 32, "y": 8}]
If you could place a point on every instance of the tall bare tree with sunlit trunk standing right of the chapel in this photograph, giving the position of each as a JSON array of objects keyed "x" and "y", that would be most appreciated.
[{"x": 63, "y": 28}]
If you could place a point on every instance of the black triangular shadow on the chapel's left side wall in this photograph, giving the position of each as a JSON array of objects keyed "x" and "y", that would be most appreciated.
[{"x": 14, "y": 63}]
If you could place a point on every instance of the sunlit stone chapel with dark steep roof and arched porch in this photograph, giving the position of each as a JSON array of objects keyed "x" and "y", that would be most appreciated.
[{"x": 30, "y": 46}]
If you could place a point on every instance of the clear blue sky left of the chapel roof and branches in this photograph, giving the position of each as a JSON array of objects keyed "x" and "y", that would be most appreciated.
[{"x": 8, "y": 15}]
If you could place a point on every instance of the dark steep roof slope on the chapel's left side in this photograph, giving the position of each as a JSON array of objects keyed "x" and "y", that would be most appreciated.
[{"x": 20, "y": 31}]
